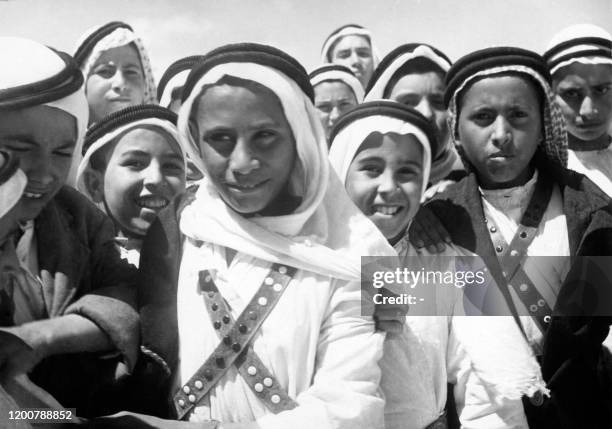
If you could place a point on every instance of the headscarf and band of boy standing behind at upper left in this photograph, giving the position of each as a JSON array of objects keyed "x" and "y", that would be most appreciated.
[{"x": 109, "y": 36}]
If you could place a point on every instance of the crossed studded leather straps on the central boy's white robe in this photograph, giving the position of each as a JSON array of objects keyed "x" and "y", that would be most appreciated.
[{"x": 234, "y": 347}]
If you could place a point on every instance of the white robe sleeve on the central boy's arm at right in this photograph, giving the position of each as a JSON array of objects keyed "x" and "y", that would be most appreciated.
[{"x": 344, "y": 390}]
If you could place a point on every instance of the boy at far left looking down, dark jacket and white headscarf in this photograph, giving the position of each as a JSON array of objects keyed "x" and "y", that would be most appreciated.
[{"x": 68, "y": 277}]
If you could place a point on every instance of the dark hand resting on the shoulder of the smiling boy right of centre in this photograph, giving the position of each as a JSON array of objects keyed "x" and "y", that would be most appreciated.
[{"x": 427, "y": 231}]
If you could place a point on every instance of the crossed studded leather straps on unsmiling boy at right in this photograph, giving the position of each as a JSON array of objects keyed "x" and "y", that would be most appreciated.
[{"x": 512, "y": 256}]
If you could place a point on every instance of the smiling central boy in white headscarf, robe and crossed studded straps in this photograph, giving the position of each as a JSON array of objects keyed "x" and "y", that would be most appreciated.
[{"x": 251, "y": 316}]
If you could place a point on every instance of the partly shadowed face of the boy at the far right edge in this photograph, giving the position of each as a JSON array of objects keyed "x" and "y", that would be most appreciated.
[{"x": 584, "y": 92}]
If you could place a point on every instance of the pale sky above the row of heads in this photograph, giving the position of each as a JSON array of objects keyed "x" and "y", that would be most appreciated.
[{"x": 172, "y": 29}]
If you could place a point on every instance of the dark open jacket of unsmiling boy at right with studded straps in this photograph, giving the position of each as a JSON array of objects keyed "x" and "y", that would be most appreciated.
[{"x": 574, "y": 361}]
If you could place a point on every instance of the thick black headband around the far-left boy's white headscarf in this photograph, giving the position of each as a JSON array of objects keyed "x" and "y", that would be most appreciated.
[{"x": 53, "y": 88}]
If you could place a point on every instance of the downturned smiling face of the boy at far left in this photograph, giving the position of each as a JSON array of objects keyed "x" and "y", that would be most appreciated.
[{"x": 43, "y": 139}]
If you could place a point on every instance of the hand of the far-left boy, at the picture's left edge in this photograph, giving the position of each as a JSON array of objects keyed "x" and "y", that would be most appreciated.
[{"x": 20, "y": 351}]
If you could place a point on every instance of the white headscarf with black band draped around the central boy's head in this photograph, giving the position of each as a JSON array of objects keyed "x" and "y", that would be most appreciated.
[{"x": 326, "y": 234}]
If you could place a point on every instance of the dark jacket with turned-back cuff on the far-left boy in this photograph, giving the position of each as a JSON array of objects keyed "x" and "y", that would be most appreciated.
[{"x": 82, "y": 273}]
